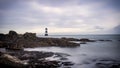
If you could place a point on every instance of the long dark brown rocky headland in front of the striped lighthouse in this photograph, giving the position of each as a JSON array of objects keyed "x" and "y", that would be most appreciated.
[{"x": 12, "y": 40}]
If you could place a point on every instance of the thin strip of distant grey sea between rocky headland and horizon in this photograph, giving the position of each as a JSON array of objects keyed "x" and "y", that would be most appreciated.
[{"x": 96, "y": 37}]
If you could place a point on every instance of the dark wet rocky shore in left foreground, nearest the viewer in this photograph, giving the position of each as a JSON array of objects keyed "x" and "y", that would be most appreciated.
[{"x": 33, "y": 59}]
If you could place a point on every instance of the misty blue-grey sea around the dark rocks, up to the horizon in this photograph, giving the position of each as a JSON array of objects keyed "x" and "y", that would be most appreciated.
[{"x": 99, "y": 54}]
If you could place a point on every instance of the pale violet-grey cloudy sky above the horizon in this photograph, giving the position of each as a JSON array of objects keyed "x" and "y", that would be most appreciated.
[{"x": 60, "y": 16}]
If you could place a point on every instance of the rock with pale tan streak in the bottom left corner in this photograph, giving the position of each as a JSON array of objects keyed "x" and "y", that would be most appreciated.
[{"x": 10, "y": 61}]
